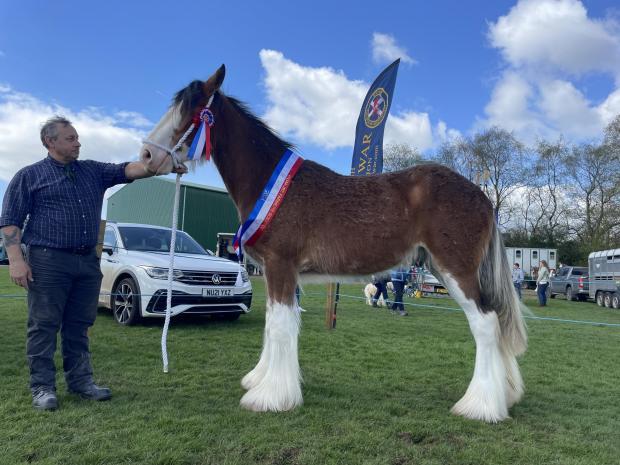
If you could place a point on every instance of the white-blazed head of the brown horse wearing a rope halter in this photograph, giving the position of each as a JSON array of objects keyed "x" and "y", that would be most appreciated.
[{"x": 173, "y": 129}]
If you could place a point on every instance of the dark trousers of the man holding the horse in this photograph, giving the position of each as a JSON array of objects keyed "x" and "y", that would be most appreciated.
[{"x": 63, "y": 297}]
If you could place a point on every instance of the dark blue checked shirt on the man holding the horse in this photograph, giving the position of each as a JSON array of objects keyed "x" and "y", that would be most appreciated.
[{"x": 63, "y": 201}]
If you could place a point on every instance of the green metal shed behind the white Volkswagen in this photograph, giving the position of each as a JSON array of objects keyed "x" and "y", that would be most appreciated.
[{"x": 203, "y": 211}]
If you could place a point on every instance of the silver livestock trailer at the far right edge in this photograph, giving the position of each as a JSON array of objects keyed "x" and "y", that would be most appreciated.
[{"x": 604, "y": 268}]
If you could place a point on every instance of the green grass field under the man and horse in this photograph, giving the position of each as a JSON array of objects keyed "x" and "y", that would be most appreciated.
[{"x": 377, "y": 390}]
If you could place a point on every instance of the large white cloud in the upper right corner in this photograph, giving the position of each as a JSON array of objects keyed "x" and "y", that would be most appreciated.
[{"x": 548, "y": 46}]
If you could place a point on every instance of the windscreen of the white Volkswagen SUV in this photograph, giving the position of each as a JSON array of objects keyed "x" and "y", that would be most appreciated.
[{"x": 158, "y": 240}]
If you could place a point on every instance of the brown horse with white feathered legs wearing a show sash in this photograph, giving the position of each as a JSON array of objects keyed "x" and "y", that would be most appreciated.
[{"x": 432, "y": 215}]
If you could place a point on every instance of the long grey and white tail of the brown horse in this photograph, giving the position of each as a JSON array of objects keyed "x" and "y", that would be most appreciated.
[{"x": 498, "y": 294}]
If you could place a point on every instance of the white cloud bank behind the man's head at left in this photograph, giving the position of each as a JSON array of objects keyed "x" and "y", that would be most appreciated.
[{"x": 21, "y": 116}]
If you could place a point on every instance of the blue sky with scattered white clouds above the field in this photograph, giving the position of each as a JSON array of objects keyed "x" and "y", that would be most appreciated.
[{"x": 539, "y": 68}]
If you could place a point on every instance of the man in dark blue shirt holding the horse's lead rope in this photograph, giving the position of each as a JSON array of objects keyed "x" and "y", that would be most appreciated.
[{"x": 61, "y": 199}]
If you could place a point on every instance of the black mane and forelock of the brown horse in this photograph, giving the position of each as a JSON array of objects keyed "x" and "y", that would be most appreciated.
[{"x": 193, "y": 96}]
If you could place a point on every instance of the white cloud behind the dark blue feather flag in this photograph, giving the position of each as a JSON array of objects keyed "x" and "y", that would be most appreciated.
[{"x": 321, "y": 106}]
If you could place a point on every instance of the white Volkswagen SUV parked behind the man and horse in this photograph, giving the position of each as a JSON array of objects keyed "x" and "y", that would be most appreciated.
[{"x": 134, "y": 263}]
